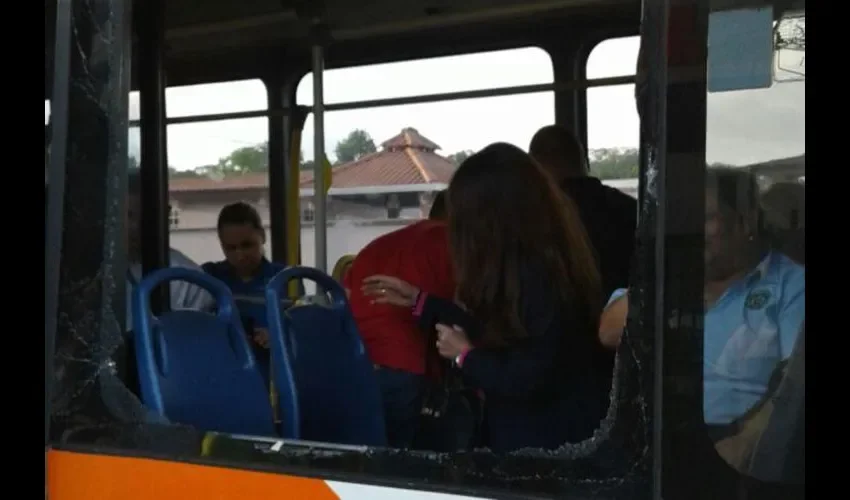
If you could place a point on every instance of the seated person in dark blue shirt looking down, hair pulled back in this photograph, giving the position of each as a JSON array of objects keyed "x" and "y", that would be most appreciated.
[{"x": 246, "y": 271}]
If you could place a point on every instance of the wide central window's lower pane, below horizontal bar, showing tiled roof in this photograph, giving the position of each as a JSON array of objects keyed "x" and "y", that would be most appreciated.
[{"x": 368, "y": 199}]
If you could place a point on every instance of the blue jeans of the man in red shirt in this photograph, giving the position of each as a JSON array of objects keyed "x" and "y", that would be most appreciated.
[{"x": 401, "y": 393}]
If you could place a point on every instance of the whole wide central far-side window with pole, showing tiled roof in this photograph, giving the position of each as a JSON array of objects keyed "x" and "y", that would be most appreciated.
[{"x": 389, "y": 161}]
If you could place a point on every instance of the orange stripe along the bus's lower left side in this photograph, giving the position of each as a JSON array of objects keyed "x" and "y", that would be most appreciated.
[{"x": 79, "y": 476}]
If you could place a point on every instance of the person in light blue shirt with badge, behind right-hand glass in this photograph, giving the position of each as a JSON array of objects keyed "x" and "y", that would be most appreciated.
[{"x": 755, "y": 303}]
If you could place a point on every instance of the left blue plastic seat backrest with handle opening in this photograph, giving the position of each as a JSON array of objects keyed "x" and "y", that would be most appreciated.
[{"x": 196, "y": 367}]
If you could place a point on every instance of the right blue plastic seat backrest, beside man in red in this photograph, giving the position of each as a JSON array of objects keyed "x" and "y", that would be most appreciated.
[{"x": 337, "y": 392}]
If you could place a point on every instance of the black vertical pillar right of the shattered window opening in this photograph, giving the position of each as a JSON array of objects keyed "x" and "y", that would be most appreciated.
[{"x": 673, "y": 154}]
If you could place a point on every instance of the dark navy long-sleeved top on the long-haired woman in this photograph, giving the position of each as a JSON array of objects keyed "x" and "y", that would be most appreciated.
[{"x": 541, "y": 392}]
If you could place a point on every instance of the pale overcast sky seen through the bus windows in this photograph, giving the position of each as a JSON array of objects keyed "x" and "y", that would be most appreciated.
[{"x": 744, "y": 126}]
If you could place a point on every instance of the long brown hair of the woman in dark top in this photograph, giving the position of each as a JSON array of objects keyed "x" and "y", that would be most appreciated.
[{"x": 508, "y": 218}]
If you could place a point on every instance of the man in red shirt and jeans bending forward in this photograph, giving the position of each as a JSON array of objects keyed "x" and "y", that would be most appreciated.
[{"x": 418, "y": 254}]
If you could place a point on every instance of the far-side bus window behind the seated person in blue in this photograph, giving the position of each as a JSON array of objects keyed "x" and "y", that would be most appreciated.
[{"x": 215, "y": 163}]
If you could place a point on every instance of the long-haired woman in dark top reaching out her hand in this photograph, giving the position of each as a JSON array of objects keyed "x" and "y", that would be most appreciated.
[{"x": 530, "y": 291}]
